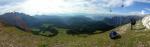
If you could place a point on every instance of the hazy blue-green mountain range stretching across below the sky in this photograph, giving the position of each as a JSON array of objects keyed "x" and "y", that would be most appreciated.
[{"x": 26, "y": 22}]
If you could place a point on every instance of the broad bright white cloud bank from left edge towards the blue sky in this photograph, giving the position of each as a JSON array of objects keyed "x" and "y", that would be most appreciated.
[{"x": 34, "y": 7}]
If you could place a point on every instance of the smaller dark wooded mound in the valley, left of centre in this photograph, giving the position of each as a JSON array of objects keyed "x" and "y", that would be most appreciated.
[{"x": 45, "y": 30}]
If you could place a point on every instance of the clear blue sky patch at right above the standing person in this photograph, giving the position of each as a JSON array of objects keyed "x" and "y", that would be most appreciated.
[{"x": 137, "y": 7}]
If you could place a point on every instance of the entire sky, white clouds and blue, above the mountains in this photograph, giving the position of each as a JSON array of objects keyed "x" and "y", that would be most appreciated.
[{"x": 47, "y": 7}]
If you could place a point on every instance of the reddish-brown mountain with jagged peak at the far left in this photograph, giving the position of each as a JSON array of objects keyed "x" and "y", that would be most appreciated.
[{"x": 15, "y": 19}]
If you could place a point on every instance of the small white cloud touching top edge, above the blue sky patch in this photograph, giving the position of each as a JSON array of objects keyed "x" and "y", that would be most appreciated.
[{"x": 116, "y": 3}]
